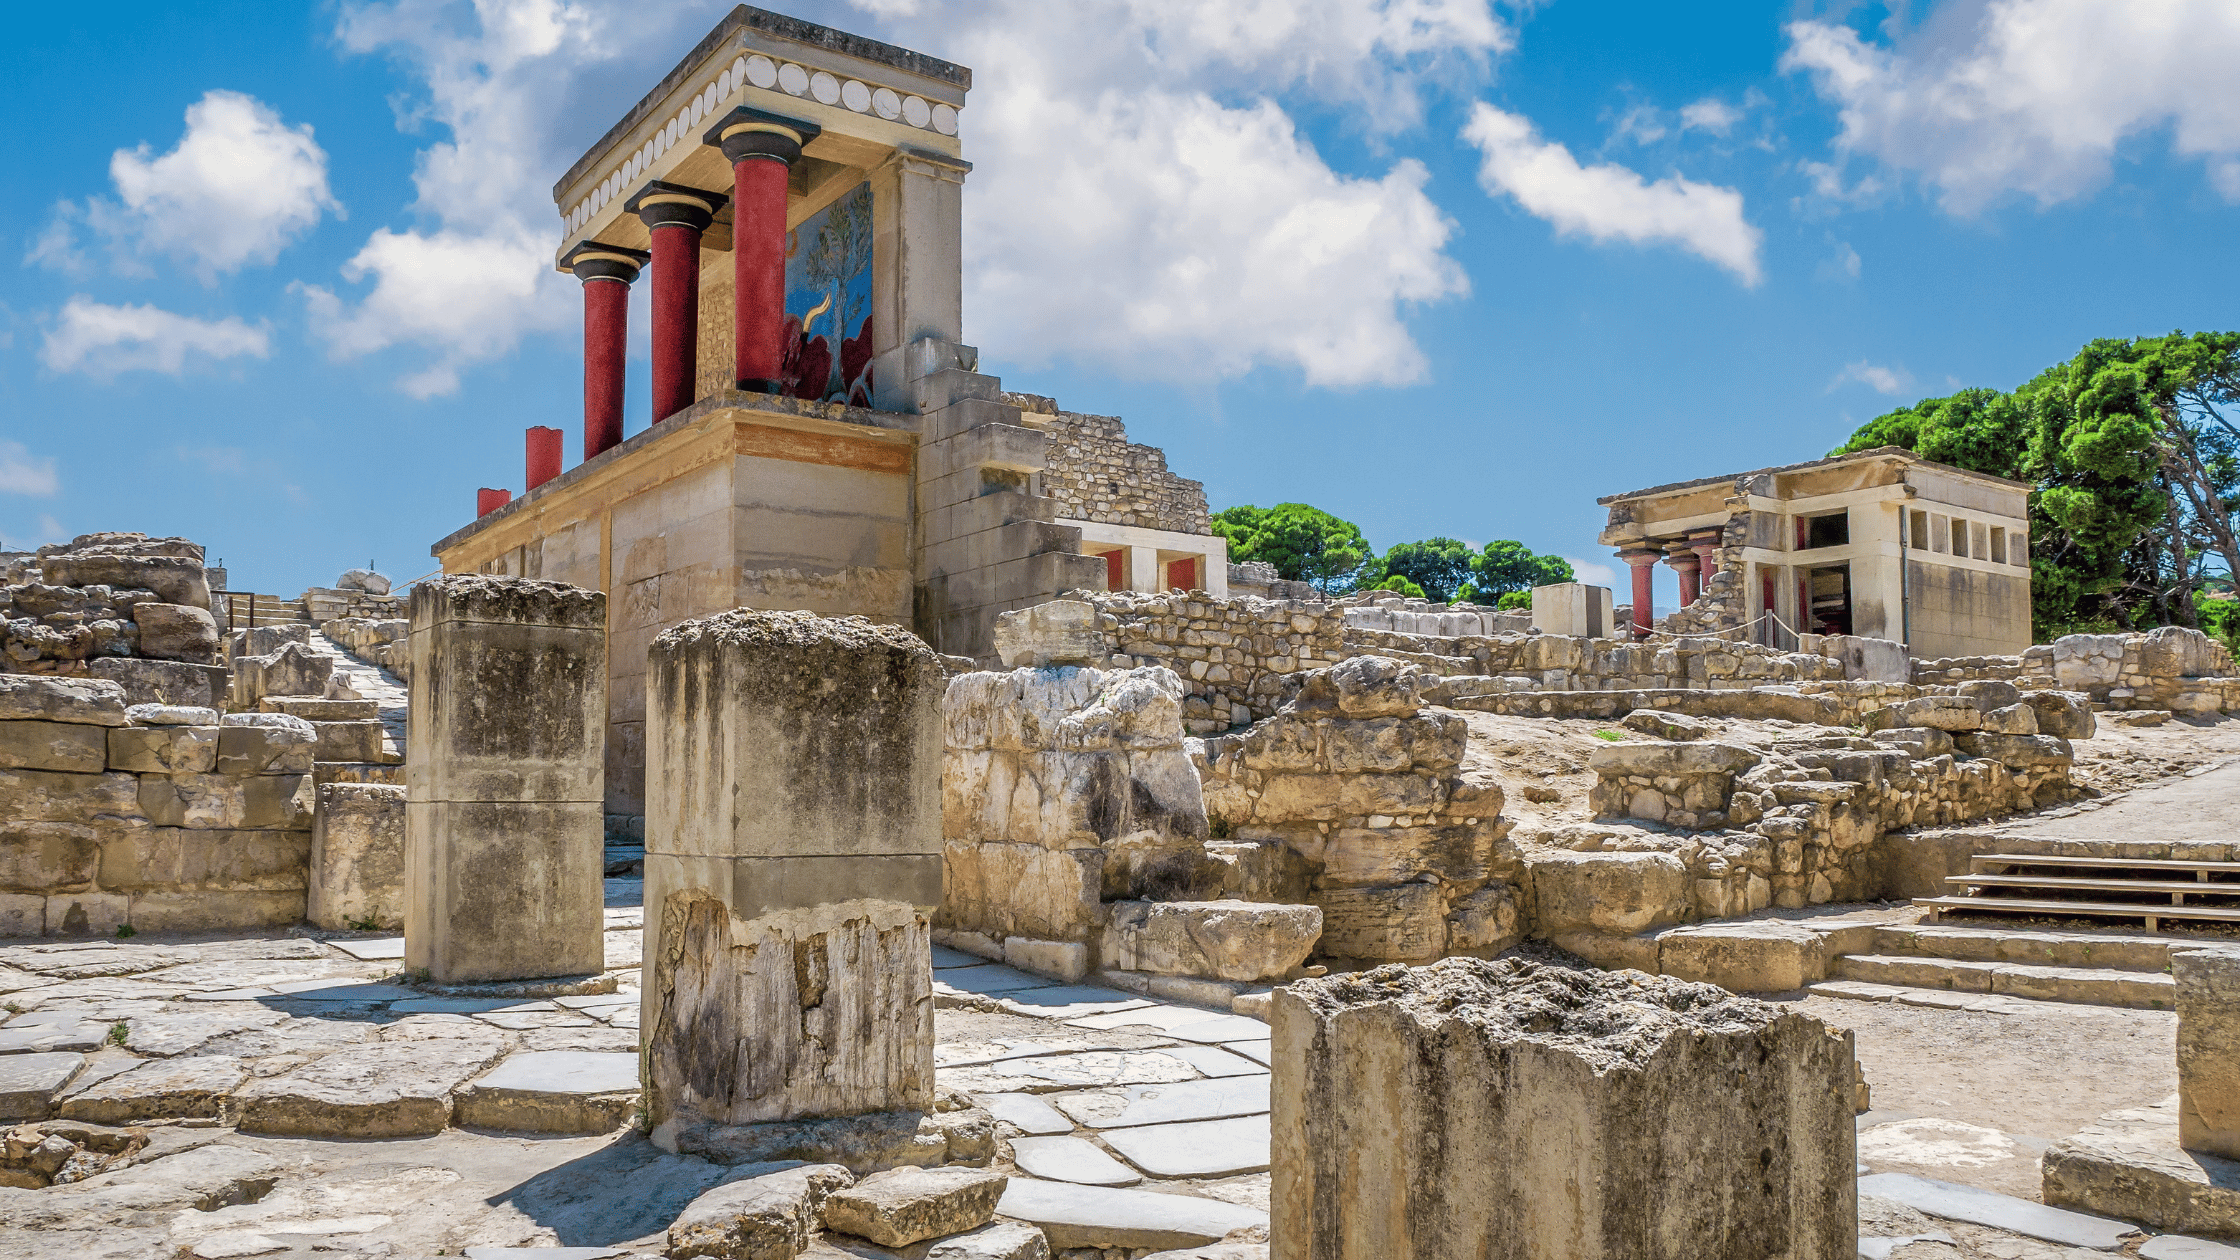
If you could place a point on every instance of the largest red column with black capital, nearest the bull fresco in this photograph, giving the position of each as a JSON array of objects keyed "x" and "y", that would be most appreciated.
[{"x": 763, "y": 151}]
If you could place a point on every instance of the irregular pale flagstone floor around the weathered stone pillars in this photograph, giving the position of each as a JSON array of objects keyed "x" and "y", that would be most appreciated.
[{"x": 283, "y": 1095}]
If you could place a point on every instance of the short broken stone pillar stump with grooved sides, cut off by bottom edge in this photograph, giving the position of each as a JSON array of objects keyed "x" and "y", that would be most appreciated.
[{"x": 1513, "y": 1111}]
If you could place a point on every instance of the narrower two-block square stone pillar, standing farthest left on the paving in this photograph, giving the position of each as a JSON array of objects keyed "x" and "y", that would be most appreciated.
[{"x": 505, "y": 786}]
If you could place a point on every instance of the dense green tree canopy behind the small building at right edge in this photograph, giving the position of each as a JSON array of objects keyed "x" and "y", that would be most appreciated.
[{"x": 2136, "y": 470}]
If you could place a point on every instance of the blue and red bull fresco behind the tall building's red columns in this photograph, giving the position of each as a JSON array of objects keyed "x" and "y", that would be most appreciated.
[{"x": 830, "y": 302}]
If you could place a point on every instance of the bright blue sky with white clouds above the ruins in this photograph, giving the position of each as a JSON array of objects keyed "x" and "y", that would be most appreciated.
[{"x": 279, "y": 279}]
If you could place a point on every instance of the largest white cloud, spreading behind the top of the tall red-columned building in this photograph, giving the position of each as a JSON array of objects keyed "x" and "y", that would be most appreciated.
[{"x": 1141, "y": 198}]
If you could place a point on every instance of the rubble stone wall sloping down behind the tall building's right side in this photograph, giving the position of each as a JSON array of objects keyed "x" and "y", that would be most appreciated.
[{"x": 1096, "y": 474}]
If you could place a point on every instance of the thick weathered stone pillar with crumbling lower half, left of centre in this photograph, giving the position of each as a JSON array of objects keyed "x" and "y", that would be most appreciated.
[{"x": 792, "y": 867}]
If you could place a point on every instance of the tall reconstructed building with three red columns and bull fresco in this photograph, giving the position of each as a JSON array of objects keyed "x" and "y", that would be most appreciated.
[{"x": 823, "y": 438}]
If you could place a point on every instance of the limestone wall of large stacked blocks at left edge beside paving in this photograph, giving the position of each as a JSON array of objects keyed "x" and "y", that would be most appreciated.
[{"x": 158, "y": 817}]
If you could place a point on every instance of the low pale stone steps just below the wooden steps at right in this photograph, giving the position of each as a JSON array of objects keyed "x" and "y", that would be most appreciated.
[{"x": 1968, "y": 963}]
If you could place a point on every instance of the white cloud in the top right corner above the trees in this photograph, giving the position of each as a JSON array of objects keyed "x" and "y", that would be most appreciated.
[{"x": 2035, "y": 98}]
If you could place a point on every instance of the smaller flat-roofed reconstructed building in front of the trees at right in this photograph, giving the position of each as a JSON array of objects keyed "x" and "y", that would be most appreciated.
[{"x": 1880, "y": 544}]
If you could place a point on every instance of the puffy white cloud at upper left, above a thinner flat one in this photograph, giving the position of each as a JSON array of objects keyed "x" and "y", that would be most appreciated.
[{"x": 239, "y": 189}]
